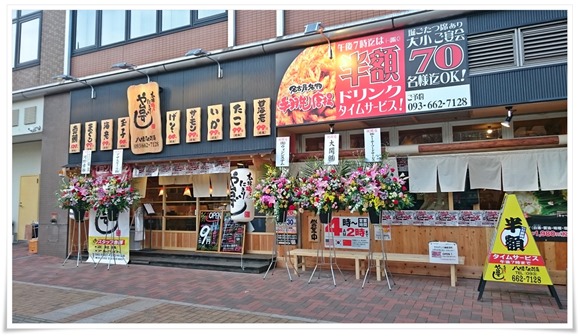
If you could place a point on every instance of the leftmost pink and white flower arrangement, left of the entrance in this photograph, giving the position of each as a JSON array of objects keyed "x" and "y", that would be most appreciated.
[{"x": 76, "y": 193}]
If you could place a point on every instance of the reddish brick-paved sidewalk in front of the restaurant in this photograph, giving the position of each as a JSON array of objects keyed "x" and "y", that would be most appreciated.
[{"x": 46, "y": 292}]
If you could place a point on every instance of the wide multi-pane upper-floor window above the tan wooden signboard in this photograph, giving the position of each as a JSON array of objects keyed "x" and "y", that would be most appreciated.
[{"x": 93, "y": 29}]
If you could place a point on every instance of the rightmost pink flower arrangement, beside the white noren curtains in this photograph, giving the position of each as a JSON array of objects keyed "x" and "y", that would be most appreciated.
[{"x": 375, "y": 186}]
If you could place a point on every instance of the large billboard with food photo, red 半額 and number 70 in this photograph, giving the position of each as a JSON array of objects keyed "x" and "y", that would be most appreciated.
[{"x": 420, "y": 69}]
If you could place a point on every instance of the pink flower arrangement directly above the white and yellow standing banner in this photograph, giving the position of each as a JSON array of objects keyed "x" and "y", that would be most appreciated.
[{"x": 113, "y": 191}]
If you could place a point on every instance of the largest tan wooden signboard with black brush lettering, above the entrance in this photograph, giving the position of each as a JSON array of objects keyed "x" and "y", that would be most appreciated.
[{"x": 145, "y": 118}]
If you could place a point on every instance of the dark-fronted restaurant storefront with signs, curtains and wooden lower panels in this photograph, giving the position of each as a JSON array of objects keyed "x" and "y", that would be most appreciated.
[{"x": 436, "y": 116}]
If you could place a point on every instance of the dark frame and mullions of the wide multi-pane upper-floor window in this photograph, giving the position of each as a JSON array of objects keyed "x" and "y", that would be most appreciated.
[{"x": 193, "y": 23}]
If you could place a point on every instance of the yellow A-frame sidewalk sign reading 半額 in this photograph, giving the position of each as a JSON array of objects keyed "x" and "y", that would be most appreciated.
[{"x": 513, "y": 255}]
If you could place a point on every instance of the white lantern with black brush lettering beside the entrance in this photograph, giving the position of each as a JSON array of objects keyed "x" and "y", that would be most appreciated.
[{"x": 241, "y": 203}]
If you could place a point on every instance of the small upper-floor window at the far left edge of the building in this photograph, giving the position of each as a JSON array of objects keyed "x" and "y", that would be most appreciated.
[{"x": 26, "y": 37}]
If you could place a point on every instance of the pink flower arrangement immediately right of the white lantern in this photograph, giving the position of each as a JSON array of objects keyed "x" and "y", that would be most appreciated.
[{"x": 276, "y": 191}]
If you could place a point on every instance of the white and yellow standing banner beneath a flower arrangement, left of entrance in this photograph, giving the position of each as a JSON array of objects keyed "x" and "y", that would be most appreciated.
[{"x": 108, "y": 241}]
